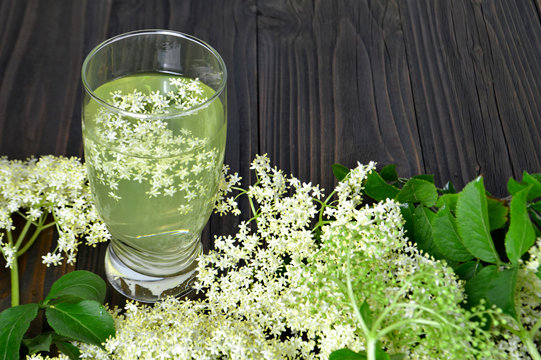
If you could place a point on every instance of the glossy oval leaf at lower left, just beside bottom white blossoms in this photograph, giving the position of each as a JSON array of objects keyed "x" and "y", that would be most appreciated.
[{"x": 85, "y": 321}]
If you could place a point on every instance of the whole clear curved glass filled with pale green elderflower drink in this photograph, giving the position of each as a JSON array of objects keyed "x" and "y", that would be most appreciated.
[{"x": 154, "y": 131}]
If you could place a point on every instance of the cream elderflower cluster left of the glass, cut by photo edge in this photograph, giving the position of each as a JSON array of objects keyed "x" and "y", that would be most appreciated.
[{"x": 49, "y": 191}]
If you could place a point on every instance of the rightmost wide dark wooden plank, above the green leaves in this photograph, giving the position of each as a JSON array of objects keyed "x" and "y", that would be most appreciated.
[{"x": 474, "y": 101}]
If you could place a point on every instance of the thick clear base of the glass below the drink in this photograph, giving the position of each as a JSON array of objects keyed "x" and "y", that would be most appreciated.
[{"x": 146, "y": 288}]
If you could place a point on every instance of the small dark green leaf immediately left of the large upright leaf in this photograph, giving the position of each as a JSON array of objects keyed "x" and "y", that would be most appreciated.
[{"x": 446, "y": 238}]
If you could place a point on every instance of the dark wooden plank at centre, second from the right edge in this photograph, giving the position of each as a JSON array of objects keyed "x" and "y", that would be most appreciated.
[{"x": 334, "y": 87}]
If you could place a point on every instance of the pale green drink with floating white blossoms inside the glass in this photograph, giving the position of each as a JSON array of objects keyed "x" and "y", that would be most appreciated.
[{"x": 154, "y": 178}]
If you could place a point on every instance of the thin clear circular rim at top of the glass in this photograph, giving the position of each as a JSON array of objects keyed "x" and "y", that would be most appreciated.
[{"x": 129, "y": 34}]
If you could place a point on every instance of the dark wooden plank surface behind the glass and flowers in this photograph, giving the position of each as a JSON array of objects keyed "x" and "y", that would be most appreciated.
[{"x": 448, "y": 87}]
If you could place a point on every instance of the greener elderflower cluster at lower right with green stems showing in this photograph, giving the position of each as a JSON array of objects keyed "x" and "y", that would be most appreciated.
[{"x": 414, "y": 300}]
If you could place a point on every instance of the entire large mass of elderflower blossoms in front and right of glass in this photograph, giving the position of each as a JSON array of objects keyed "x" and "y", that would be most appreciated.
[{"x": 275, "y": 289}]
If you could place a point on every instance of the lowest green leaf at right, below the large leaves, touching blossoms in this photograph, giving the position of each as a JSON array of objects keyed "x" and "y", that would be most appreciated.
[{"x": 501, "y": 291}]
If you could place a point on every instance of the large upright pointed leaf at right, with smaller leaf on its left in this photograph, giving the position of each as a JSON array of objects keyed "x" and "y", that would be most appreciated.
[{"x": 473, "y": 223}]
